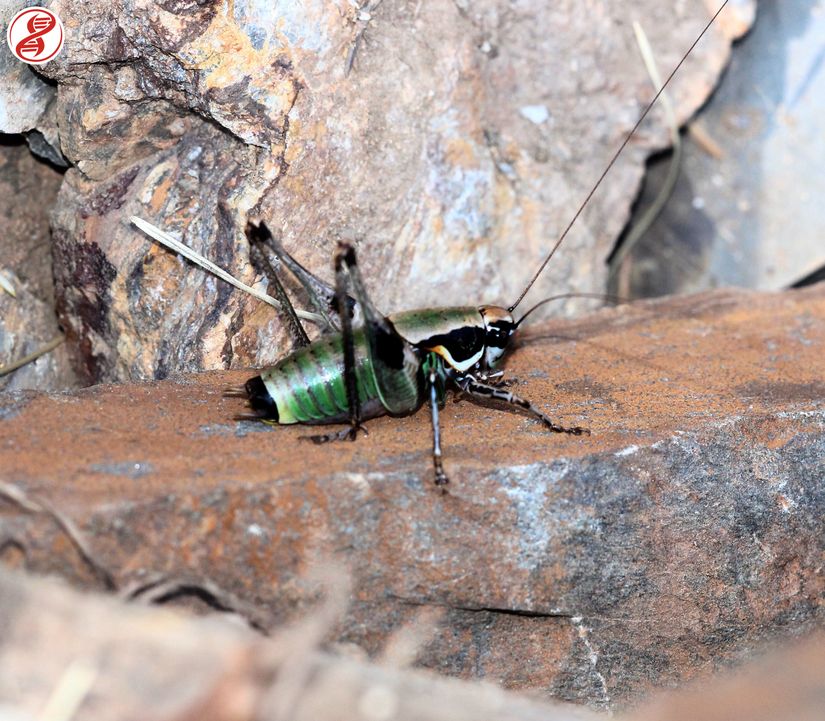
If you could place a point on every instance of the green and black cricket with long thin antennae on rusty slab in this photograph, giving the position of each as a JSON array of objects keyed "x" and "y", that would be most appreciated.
[{"x": 366, "y": 364}]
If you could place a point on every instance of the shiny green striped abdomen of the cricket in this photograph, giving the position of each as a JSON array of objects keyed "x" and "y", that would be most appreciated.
[{"x": 308, "y": 385}]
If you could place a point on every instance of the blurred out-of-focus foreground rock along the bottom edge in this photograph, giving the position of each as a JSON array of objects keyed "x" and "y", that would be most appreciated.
[{"x": 88, "y": 657}]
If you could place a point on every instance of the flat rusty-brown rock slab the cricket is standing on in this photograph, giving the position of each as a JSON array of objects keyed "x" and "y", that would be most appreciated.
[{"x": 687, "y": 528}]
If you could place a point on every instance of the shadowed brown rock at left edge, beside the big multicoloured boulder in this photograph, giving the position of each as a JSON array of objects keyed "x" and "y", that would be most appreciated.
[{"x": 28, "y": 320}]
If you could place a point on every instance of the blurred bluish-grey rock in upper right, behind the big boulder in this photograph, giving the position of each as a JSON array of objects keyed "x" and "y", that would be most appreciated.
[{"x": 736, "y": 200}]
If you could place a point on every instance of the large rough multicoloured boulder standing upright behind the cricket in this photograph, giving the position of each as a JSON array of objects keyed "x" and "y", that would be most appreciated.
[{"x": 455, "y": 149}]
